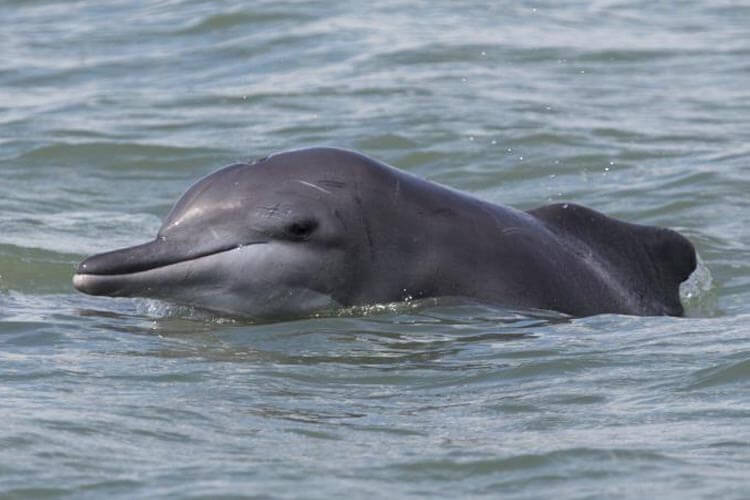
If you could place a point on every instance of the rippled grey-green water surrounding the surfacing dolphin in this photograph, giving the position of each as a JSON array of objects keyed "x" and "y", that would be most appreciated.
[{"x": 108, "y": 111}]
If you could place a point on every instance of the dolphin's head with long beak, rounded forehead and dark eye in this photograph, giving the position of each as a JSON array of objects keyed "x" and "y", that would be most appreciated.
[{"x": 269, "y": 239}]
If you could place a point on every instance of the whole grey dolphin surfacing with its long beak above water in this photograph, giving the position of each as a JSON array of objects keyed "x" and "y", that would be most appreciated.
[{"x": 317, "y": 229}]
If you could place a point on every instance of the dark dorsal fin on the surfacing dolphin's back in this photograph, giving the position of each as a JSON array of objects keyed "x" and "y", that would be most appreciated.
[{"x": 653, "y": 261}]
